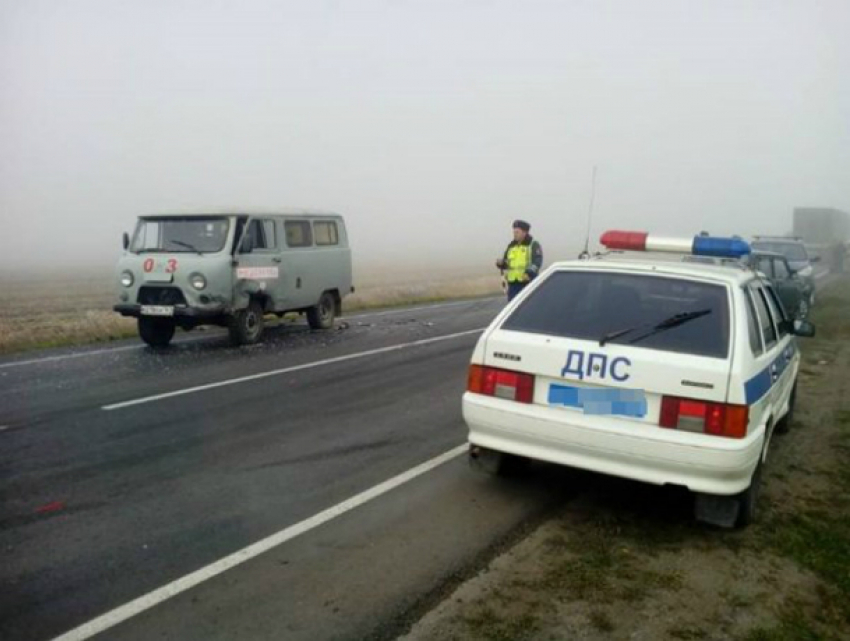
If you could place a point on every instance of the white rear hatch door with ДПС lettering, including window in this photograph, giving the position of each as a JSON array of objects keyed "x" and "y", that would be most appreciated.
[{"x": 607, "y": 346}]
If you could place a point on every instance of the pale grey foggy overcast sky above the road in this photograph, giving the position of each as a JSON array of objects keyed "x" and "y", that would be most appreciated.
[{"x": 429, "y": 125}]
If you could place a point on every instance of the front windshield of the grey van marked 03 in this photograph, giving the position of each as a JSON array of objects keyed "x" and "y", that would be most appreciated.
[{"x": 194, "y": 234}]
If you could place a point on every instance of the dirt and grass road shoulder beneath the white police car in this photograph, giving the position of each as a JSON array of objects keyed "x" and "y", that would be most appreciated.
[{"x": 624, "y": 560}]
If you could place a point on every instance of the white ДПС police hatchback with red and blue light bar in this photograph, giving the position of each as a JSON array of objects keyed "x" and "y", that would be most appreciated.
[{"x": 658, "y": 370}]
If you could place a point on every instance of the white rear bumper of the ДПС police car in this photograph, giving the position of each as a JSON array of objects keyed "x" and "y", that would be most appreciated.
[{"x": 708, "y": 464}]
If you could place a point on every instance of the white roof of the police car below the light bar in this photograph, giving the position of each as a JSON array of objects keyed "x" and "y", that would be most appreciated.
[{"x": 731, "y": 273}]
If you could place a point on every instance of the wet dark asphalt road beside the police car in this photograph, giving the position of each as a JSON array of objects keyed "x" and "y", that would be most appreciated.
[{"x": 125, "y": 469}]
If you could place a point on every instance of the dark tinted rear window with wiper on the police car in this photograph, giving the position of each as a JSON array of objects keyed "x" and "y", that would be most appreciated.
[{"x": 652, "y": 312}]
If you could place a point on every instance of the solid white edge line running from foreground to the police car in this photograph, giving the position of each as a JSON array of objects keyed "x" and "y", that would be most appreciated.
[{"x": 151, "y": 599}]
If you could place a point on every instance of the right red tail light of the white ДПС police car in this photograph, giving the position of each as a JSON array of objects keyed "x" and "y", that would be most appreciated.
[{"x": 719, "y": 419}]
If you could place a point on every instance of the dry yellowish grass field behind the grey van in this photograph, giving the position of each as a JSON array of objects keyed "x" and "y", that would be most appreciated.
[{"x": 75, "y": 308}]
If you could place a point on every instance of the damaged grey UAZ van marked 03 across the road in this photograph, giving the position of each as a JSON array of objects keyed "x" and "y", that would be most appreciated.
[{"x": 231, "y": 269}]
